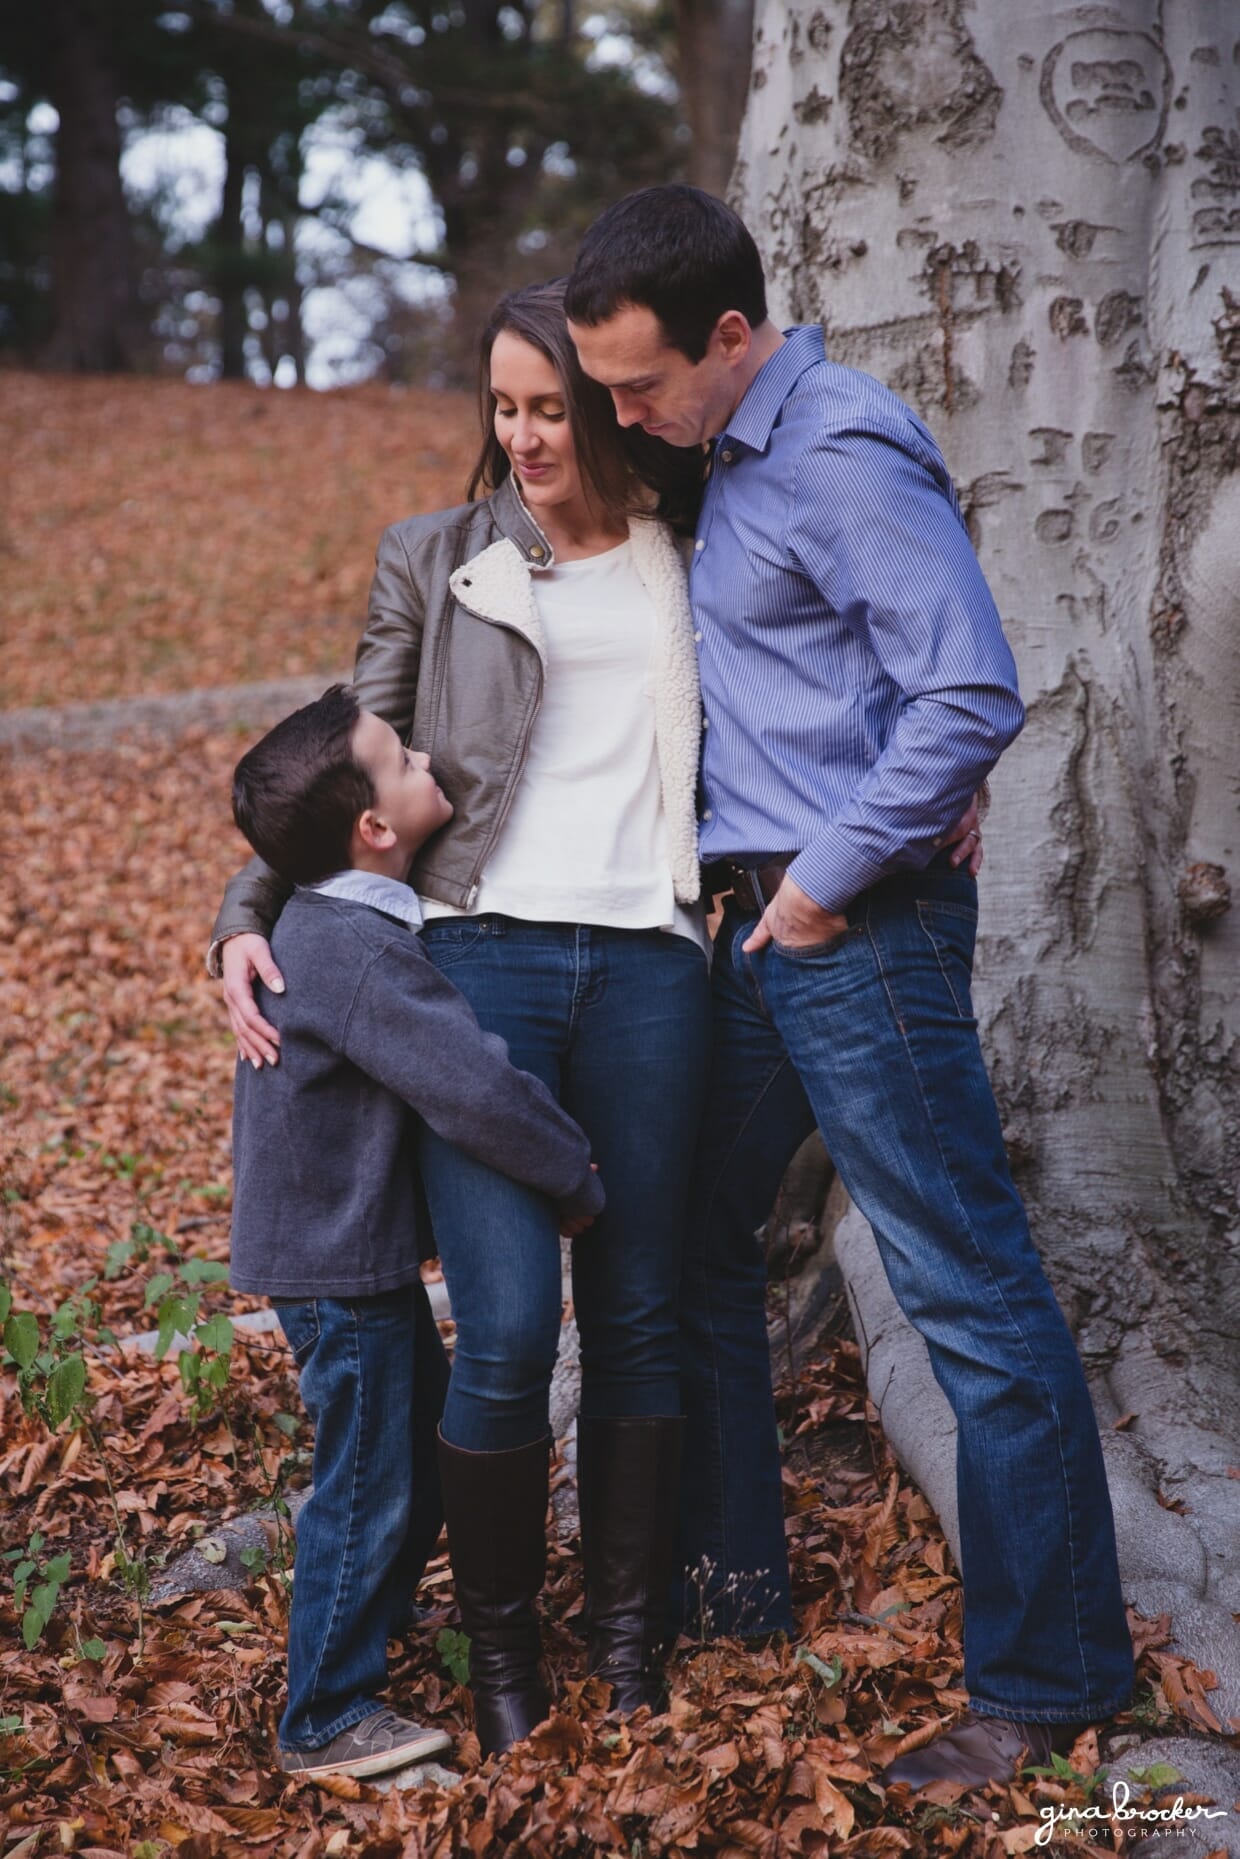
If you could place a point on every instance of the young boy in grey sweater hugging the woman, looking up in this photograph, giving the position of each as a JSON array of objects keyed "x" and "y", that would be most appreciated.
[{"x": 326, "y": 1196}]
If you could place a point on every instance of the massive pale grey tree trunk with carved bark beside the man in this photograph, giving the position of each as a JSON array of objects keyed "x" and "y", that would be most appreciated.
[{"x": 1027, "y": 222}]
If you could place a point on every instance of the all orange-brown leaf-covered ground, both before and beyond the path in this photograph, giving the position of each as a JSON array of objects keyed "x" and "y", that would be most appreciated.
[{"x": 144, "y": 1732}]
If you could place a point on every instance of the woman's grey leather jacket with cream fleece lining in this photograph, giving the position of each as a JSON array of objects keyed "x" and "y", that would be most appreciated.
[{"x": 455, "y": 659}]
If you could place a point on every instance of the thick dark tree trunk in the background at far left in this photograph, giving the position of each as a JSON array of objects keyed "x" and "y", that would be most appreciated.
[{"x": 98, "y": 324}]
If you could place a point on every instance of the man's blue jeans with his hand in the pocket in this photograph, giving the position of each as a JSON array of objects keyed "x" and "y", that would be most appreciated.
[{"x": 875, "y": 1040}]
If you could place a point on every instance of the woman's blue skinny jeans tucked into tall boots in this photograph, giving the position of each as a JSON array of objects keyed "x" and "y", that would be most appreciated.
[{"x": 618, "y": 1025}]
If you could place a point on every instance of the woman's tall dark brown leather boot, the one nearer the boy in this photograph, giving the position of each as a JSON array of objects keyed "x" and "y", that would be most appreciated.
[{"x": 495, "y": 1509}]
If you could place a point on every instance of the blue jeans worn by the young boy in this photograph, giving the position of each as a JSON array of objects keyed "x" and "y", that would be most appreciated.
[{"x": 373, "y": 1380}]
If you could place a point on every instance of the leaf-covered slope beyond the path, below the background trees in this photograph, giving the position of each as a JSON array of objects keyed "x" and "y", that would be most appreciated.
[{"x": 159, "y": 536}]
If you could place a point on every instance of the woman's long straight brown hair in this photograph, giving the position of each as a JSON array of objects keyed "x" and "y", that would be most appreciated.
[{"x": 626, "y": 473}]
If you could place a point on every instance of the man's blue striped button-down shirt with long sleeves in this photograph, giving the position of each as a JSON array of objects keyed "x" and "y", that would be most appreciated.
[{"x": 856, "y": 678}]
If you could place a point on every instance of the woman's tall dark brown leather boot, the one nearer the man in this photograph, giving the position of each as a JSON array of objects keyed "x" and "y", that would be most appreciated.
[{"x": 629, "y": 1483}]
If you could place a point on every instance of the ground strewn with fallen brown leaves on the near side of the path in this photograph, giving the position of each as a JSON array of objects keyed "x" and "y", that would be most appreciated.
[{"x": 116, "y": 1101}]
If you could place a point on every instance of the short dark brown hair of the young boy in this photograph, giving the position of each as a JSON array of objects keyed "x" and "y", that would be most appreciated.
[{"x": 298, "y": 793}]
